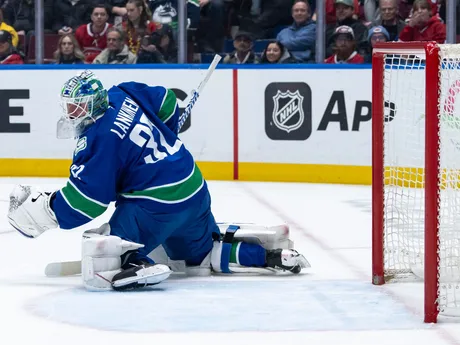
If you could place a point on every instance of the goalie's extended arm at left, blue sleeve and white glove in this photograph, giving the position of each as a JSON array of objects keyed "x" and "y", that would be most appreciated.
[{"x": 87, "y": 194}]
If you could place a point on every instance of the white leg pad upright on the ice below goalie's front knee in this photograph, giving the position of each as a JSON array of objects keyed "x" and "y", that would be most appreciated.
[{"x": 101, "y": 257}]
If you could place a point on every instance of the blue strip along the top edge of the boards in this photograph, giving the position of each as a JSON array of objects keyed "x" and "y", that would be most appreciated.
[{"x": 184, "y": 66}]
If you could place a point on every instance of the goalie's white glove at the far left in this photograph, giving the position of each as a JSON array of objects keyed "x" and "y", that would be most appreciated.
[{"x": 30, "y": 212}]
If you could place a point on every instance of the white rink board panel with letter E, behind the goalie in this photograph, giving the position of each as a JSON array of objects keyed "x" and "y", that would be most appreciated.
[{"x": 30, "y": 109}]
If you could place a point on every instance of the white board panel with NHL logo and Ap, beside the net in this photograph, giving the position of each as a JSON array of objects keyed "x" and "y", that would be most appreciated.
[{"x": 305, "y": 116}]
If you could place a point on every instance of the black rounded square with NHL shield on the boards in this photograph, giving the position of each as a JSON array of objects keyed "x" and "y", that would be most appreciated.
[{"x": 288, "y": 111}]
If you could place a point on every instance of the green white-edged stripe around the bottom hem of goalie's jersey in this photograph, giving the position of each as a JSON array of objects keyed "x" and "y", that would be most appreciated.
[{"x": 172, "y": 193}]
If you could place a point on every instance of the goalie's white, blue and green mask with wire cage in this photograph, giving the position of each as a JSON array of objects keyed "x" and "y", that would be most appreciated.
[{"x": 83, "y": 101}]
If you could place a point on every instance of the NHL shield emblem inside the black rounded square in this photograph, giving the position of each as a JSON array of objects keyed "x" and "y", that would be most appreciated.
[{"x": 287, "y": 111}]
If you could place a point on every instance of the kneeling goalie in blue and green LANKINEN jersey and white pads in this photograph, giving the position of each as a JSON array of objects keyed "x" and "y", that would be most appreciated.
[{"x": 128, "y": 151}]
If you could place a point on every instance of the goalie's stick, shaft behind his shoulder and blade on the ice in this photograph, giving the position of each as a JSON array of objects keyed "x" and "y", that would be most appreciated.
[{"x": 66, "y": 268}]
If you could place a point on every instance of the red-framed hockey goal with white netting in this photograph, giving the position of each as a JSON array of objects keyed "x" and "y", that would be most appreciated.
[{"x": 416, "y": 170}]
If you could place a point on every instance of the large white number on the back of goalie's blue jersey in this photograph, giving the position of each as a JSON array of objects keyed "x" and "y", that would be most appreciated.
[{"x": 160, "y": 151}]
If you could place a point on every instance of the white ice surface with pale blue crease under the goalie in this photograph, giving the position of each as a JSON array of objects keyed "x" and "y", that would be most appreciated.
[{"x": 332, "y": 303}]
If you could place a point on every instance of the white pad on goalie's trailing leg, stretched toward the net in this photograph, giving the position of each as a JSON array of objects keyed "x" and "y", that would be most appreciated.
[{"x": 268, "y": 236}]
